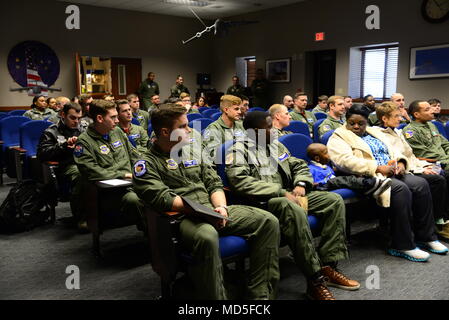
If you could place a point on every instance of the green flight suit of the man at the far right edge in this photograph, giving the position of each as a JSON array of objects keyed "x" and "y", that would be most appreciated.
[{"x": 427, "y": 142}]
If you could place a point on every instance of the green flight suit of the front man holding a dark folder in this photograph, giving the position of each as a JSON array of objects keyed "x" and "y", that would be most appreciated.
[{"x": 158, "y": 179}]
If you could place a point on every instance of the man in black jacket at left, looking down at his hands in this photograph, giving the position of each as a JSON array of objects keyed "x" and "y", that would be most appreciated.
[{"x": 56, "y": 144}]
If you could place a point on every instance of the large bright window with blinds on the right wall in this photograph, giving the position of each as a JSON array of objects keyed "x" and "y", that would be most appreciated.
[{"x": 373, "y": 70}]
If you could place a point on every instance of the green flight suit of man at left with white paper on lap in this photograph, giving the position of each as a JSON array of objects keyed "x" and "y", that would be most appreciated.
[{"x": 108, "y": 157}]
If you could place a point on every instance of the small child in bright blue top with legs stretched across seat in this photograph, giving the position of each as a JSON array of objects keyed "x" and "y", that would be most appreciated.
[{"x": 325, "y": 179}]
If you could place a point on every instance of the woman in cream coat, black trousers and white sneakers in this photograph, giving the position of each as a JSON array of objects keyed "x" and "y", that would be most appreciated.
[{"x": 363, "y": 151}]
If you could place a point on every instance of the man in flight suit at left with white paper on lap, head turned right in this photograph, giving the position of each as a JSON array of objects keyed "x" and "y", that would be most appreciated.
[{"x": 104, "y": 152}]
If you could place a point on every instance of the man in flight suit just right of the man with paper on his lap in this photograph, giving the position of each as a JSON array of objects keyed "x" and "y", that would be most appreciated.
[{"x": 137, "y": 135}]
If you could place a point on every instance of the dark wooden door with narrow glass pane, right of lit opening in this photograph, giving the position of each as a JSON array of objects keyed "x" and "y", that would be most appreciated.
[{"x": 126, "y": 74}]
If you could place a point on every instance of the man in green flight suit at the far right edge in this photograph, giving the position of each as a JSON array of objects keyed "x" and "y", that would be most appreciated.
[{"x": 427, "y": 143}]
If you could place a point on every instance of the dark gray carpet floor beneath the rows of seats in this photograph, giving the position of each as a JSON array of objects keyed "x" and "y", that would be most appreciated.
[{"x": 33, "y": 266}]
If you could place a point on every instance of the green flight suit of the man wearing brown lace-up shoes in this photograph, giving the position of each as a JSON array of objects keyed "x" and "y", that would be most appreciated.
[{"x": 266, "y": 178}]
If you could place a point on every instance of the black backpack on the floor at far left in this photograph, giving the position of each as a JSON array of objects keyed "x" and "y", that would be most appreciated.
[{"x": 24, "y": 208}]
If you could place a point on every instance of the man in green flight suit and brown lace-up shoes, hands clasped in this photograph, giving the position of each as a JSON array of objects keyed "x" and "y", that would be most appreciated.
[{"x": 263, "y": 170}]
